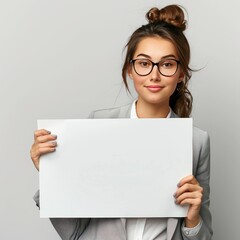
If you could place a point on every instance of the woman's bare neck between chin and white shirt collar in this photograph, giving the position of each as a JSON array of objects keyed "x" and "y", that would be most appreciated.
[{"x": 147, "y": 110}]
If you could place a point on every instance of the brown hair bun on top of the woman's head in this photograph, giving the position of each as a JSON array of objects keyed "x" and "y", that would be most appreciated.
[{"x": 171, "y": 14}]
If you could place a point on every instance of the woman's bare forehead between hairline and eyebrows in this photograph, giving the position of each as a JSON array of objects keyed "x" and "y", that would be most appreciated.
[{"x": 155, "y": 47}]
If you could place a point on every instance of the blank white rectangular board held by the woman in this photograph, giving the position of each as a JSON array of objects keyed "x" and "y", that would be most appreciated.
[{"x": 115, "y": 167}]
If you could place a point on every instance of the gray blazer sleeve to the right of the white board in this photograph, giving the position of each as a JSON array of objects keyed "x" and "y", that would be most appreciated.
[{"x": 201, "y": 170}]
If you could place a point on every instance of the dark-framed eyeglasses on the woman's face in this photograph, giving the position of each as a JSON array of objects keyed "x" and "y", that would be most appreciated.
[{"x": 166, "y": 67}]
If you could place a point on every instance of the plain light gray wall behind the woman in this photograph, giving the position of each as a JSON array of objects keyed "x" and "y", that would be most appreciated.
[{"x": 63, "y": 58}]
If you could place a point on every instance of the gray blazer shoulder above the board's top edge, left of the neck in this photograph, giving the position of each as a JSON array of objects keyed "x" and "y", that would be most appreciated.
[{"x": 116, "y": 112}]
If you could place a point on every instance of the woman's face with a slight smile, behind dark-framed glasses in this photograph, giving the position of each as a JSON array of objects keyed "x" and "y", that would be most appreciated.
[{"x": 155, "y": 88}]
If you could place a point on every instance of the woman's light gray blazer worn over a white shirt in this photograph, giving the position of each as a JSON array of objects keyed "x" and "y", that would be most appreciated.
[{"x": 114, "y": 229}]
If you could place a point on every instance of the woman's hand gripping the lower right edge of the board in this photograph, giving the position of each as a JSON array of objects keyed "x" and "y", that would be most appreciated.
[{"x": 190, "y": 192}]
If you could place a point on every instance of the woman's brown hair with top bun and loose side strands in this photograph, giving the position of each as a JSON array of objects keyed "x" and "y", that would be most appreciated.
[{"x": 168, "y": 23}]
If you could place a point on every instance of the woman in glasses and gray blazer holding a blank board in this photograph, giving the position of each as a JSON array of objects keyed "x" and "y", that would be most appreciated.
[{"x": 157, "y": 61}]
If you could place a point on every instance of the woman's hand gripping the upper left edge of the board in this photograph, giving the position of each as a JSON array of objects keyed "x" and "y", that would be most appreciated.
[{"x": 44, "y": 142}]
